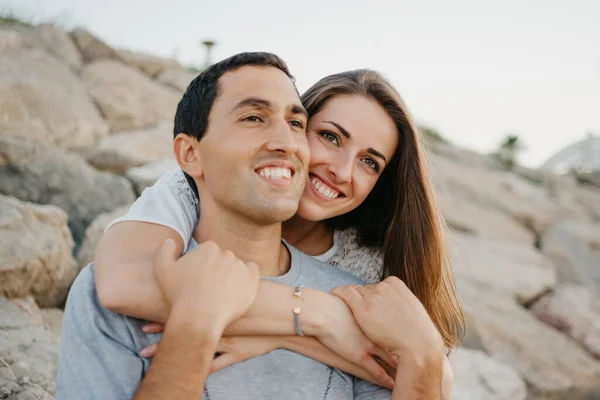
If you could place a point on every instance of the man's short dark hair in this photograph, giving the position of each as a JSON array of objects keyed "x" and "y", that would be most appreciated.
[{"x": 195, "y": 105}]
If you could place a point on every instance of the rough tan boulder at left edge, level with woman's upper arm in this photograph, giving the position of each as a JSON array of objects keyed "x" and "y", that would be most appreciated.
[{"x": 35, "y": 252}]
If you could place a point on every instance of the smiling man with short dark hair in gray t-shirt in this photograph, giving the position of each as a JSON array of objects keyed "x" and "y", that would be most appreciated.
[{"x": 241, "y": 141}]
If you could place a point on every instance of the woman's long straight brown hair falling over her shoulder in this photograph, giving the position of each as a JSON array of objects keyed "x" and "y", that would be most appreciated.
[{"x": 400, "y": 215}]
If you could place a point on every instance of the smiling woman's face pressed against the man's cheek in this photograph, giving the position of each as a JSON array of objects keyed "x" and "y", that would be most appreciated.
[{"x": 351, "y": 141}]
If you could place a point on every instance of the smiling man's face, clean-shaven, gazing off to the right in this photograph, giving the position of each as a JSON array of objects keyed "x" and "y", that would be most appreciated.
[{"x": 254, "y": 153}]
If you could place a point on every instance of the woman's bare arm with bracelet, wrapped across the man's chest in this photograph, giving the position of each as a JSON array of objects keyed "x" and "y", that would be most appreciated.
[{"x": 126, "y": 284}]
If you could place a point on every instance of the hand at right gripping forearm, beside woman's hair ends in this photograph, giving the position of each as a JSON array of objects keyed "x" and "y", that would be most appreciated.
[{"x": 392, "y": 317}]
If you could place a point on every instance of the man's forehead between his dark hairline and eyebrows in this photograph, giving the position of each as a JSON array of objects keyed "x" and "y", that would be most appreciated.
[{"x": 262, "y": 81}]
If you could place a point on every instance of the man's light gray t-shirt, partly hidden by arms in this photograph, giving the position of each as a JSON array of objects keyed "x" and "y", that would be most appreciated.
[{"x": 99, "y": 354}]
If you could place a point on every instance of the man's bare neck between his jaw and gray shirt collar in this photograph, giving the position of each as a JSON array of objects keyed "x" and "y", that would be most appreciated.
[{"x": 250, "y": 242}]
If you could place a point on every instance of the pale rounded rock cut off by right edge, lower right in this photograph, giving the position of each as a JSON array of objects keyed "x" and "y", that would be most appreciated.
[{"x": 574, "y": 310}]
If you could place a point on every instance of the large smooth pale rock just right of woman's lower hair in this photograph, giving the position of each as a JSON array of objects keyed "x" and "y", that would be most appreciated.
[{"x": 517, "y": 270}]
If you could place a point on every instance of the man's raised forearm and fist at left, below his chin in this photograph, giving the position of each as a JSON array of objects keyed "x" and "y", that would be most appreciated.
[{"x": 207, "y": 289}]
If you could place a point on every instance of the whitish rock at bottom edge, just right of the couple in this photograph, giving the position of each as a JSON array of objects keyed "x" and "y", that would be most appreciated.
[{"x": 478, "y": 376}]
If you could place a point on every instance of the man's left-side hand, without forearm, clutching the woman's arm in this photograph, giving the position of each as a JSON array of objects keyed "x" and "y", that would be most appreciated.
[{"x": 212, "y": 285}]
